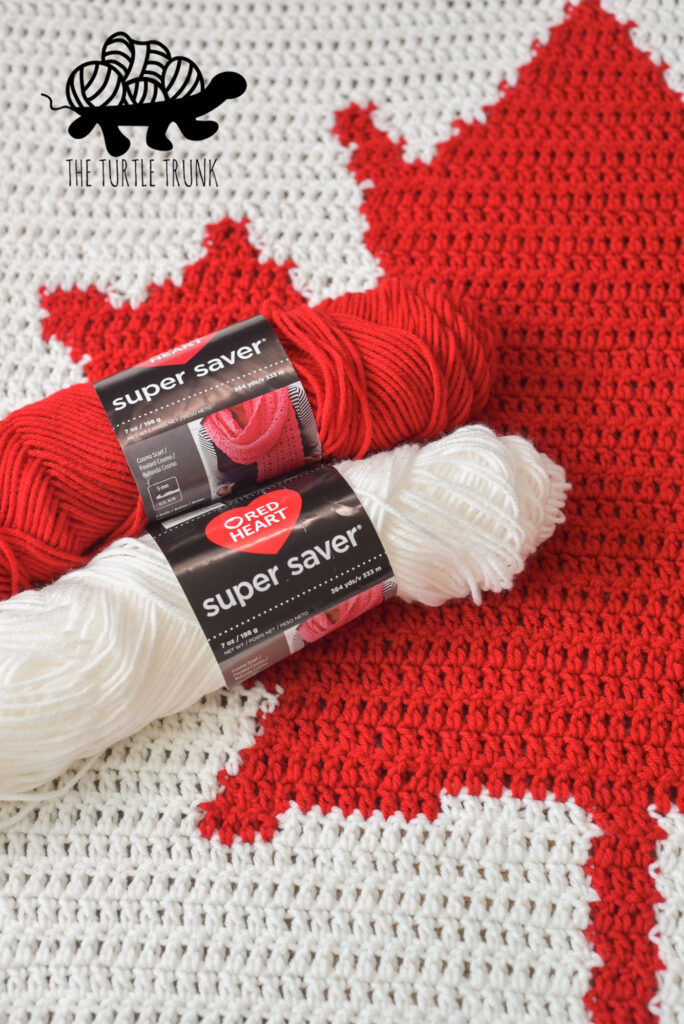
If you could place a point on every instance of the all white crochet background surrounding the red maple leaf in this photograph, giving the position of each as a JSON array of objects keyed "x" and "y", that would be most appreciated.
[{"x": 112, "y": 906}]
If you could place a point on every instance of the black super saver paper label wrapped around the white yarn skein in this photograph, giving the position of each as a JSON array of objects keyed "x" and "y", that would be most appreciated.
[{"x": 277, "y": 569}]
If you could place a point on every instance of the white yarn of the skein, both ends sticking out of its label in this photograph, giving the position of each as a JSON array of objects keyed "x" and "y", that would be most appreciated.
[{"x": 94, "y": 658}]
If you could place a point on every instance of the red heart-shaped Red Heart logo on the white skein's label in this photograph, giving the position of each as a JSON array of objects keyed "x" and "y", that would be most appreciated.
[{"x": 261, "y": 528}]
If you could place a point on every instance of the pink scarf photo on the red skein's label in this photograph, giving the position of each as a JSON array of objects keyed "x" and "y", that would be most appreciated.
[{"x": 264, "y": 431}]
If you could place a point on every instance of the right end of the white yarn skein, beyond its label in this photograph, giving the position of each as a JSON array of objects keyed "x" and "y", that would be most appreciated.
[{"x": 459, "y": 517}]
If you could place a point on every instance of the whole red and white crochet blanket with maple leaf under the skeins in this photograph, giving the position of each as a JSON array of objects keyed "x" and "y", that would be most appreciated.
[{"x": 456, "y": 815}]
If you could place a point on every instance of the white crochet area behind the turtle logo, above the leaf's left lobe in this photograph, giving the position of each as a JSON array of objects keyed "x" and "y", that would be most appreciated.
[{"x": 422, "y": 64}]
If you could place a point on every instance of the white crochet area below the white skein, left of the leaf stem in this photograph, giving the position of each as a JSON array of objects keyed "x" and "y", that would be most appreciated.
[{"x": 111, "y": 904}]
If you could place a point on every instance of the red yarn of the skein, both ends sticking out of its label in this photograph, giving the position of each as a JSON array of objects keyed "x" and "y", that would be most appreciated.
[{"x": 382, "y": 367}]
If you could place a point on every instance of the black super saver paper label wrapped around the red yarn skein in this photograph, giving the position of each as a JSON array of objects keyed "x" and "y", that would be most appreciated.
[{"x": 172, "y": 418}]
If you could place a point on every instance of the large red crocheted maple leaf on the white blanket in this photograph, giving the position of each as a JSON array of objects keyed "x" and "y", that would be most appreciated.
[{"x": 563, "y": 216}]
